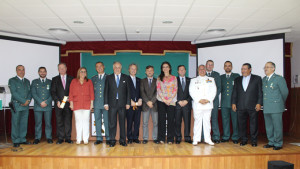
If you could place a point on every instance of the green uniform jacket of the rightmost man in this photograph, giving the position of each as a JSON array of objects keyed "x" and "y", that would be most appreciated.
[{"x": 275, "y": 93}]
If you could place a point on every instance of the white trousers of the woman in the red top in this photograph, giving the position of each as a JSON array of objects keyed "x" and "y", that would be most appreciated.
[{"x": 82, "y": 118}]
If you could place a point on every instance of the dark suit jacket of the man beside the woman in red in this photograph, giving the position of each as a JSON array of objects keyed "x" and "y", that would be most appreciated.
[{"x": 57, "y": 90}]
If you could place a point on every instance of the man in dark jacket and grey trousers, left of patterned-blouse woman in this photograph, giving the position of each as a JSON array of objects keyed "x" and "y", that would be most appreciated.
[{"x": 148, "y": 93}]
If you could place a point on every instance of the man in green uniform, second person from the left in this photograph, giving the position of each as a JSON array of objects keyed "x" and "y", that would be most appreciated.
[{"x": 40, "y": 91}]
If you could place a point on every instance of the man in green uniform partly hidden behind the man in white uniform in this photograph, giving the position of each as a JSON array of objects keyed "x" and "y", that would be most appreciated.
[{"x": 214, "y": 112}]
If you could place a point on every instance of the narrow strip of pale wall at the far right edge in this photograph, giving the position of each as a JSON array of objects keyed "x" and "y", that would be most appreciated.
[{"x": 295, "y": 62}]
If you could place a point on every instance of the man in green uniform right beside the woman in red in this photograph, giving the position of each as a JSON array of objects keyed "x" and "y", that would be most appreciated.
[{"x": 99, "y": 84}]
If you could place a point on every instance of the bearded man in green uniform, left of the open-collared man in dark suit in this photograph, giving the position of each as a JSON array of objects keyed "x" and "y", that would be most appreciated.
[{"x": 227, "y": 82}]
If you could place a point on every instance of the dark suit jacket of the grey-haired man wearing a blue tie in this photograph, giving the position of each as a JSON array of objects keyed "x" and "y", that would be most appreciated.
[{"x": 111, "y": 90}]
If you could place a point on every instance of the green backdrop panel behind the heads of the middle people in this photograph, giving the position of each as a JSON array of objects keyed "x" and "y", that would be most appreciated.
[{"x": 126, "y": 58}]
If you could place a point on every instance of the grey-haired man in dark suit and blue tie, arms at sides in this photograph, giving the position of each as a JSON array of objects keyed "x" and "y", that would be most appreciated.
[{"x": 117, "y": 100}]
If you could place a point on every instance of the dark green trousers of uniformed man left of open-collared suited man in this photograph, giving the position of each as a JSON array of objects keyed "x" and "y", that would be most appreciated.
[{"x": 226, "y": 114}]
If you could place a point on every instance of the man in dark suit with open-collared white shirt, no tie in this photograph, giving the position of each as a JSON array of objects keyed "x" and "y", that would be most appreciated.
[{"x": 246, "y": 101}]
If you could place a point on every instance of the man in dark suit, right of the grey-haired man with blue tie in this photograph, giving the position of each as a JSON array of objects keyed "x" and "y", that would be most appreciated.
[{"x": 134, "y": 112}]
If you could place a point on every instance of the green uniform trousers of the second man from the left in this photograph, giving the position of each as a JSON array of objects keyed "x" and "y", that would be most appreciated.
[{"x": 38, "y": 118}]
